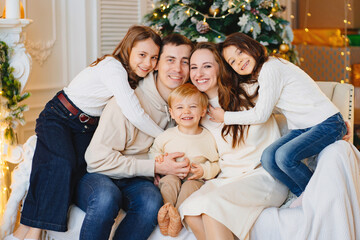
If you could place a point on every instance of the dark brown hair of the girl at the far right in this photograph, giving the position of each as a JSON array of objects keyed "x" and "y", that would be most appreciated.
[{"x": 251, "y": 47}]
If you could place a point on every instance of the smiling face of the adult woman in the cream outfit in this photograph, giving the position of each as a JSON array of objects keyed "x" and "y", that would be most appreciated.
[{"x": 204, "y": 71}]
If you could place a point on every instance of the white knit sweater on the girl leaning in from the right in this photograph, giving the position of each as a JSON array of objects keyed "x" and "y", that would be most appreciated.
[{"x": 289, "y": 89}]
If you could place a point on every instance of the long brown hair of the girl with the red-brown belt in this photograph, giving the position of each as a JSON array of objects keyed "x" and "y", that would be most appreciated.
[{"x": 122, "y": 51}]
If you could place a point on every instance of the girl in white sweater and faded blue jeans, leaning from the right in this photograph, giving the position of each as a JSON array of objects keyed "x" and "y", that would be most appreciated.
[{"x": 313, "y": 119}]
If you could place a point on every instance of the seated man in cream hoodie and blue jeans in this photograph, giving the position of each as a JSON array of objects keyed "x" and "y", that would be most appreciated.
[{"x": 116, "y": 178}]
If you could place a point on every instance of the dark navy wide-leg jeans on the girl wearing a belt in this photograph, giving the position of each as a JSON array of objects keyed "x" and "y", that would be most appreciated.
[{"x": 58, "y": 164}]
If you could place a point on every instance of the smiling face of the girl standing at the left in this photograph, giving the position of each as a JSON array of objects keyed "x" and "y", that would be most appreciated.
[{"x": 143, "y": 57}]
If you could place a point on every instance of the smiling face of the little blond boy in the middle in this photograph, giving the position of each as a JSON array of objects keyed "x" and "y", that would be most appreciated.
[{"x": 187, "y": 112}]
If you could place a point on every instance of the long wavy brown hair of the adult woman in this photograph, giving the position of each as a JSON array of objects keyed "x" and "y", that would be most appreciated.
[{"x": 232, "y": 96}]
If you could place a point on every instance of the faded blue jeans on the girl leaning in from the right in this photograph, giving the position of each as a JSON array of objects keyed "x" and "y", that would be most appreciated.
[{"x": 282, "y": 159}]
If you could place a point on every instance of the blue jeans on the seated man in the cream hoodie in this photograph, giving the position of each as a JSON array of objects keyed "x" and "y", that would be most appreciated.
[{"x": 101, "y": 198}]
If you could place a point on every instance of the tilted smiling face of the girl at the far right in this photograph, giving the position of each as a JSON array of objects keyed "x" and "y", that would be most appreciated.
[{"x": 240, "y": 61}]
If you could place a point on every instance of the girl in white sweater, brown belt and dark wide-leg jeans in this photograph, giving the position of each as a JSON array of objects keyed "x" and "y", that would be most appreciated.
[{"x": 66, "y": 125}]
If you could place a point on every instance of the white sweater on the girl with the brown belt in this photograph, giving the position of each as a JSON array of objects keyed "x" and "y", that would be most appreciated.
[{"x": 93, "y": 87}]
